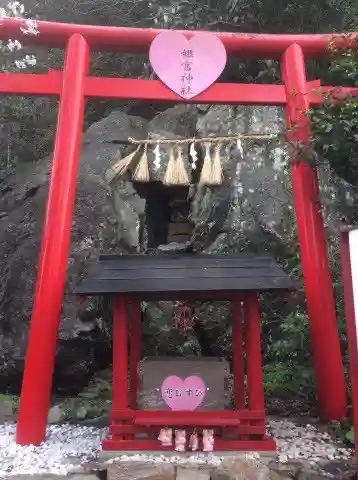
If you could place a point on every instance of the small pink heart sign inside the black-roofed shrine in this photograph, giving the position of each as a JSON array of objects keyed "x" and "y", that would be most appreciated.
[{"x": 181, "y": 394}]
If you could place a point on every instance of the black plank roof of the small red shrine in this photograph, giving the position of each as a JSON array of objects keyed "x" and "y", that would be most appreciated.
[{"x": 151, "y": 275}]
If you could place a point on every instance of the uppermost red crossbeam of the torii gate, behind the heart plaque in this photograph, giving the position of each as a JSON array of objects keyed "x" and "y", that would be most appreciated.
[{"x": 137, "y": 40}]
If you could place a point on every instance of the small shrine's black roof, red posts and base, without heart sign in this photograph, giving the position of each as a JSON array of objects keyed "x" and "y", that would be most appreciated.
[{"x": 240, "y": 279}]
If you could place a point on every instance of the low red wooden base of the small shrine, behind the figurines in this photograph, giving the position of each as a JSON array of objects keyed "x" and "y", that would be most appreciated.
[{"x": 241, "y": 430}]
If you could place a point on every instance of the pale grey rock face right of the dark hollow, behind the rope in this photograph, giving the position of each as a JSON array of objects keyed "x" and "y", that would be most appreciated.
[{"x": 252, "y": 193}]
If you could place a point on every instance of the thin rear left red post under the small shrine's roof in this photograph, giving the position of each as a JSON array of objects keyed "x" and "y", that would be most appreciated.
[{"x": 135, "y": 349}]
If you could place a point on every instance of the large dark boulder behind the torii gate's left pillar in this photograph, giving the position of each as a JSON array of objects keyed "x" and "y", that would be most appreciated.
[{"x": 104, "y": 220}]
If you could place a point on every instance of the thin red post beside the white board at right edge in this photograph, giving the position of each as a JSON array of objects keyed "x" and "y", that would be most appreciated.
[{"x": 350, "y": 326}]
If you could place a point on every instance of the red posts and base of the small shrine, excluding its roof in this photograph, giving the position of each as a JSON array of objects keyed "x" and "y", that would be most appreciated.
[{"x": 237, "y": 429}]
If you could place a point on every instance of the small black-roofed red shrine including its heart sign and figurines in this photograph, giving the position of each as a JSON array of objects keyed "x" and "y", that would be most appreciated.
[{"x": 181, "y": 403}]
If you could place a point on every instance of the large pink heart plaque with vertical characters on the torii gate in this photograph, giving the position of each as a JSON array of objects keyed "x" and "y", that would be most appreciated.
[{"x": 187, "y": 66}]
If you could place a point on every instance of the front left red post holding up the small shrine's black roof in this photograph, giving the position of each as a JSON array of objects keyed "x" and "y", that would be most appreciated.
[{"x": 120, "y": 353}]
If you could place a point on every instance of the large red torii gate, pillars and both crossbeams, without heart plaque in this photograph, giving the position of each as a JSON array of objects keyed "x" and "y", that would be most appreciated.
[{"x": 73, "y": 85}]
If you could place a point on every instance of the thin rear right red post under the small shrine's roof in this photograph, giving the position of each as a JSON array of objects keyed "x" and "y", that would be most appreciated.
[{"x": 238, "y": 354}]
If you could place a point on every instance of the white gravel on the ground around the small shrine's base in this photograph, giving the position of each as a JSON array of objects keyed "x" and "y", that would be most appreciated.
[{"x": 67, "y": 446}]
